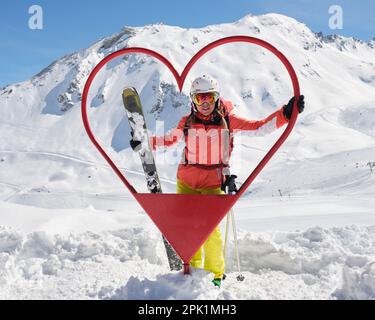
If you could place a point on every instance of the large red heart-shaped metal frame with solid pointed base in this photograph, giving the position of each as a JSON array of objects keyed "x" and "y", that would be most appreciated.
[{"x": 187, "y": 220}]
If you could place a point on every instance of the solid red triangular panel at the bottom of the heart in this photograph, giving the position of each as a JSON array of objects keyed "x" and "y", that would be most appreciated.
[{"x": 186, "y": 220}]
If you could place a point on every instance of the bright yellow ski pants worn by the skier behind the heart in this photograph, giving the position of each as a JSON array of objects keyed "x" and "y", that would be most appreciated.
[{"x": 213, "y": 247}]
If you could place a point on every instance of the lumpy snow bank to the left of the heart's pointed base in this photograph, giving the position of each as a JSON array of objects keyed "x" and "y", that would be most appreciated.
[{"x": 40, "y": 265}]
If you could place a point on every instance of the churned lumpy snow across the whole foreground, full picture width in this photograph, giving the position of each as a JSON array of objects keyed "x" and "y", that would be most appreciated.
[{"x": 317, "y": 263}]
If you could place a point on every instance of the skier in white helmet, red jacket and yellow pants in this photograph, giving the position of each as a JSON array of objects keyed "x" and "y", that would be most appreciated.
[{"x": 208, "y": 134}]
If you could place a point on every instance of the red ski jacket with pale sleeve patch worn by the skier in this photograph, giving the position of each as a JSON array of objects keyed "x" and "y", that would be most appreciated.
[{"x": 208, "y": 146}]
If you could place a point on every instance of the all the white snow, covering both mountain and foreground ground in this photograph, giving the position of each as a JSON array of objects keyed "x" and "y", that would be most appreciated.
[{"x": 306, "y": 226}]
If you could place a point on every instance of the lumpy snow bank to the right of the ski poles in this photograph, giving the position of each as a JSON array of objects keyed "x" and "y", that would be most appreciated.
[{"x": 312, "y": 251}]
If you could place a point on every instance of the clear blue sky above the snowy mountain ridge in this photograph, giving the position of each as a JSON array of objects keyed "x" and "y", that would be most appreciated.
[{"x": 71, "y": 25}]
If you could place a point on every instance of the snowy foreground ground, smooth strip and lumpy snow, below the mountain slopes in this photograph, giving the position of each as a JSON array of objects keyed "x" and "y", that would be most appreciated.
[{"x": 325, "y": 252}]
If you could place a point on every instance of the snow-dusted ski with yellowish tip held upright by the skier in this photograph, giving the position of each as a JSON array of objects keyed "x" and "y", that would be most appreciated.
[{"x": 134, "y": 113}]
